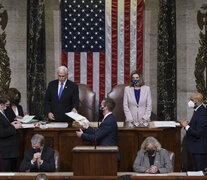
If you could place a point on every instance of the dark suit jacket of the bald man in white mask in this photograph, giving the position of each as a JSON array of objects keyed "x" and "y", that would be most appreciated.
[{"x": 197, "y": 133}]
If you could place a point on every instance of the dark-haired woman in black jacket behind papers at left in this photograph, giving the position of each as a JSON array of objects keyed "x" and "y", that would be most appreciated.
[{"x": 15, "y": 110}]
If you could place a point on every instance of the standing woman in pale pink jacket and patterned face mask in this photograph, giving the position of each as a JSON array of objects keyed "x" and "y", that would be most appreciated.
[{"x": 137, "y": 101}]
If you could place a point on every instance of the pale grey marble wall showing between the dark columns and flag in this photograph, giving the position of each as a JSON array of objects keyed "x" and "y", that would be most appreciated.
[{"x": 187, "y": 46}]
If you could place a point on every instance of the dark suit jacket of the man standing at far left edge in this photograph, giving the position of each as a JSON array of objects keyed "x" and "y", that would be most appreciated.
[{"x": 9, "y": 144}]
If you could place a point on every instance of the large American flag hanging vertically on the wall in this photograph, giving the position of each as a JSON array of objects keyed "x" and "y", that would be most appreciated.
[{"x": 102, "y": 42}]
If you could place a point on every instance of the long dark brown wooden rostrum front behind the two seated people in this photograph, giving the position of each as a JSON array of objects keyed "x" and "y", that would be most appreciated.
[{"x": 130, "y": 139}]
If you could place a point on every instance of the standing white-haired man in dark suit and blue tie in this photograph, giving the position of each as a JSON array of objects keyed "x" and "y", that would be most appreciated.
[{"x": 62, "y": 95}]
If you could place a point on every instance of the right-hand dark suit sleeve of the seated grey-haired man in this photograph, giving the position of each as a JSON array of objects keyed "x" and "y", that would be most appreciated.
[{"x": 49, "y": 164}]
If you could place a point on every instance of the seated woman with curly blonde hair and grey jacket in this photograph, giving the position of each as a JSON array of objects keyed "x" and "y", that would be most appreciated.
[{"x": 151, "y": 158}]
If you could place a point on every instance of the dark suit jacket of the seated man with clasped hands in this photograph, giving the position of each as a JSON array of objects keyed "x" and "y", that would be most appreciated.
[{"x": 47, "y": 156}]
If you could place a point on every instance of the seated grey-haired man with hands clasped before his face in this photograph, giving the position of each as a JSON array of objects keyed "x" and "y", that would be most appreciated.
[{"x": 39, "y": 157}]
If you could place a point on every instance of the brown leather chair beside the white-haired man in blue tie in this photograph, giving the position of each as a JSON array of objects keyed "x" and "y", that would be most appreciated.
[{"x": 87, "y": 102}]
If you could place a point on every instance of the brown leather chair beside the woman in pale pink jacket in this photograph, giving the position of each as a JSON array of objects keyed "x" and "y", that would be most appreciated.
[{"x": 117, "y": 94}]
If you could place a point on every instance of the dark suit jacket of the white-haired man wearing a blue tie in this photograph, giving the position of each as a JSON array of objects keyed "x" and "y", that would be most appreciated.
[{"x": 69, "y": 100}]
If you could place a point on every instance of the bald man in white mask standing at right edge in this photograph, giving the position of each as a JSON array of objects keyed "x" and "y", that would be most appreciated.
[{"x": 196, "y": 131}]
